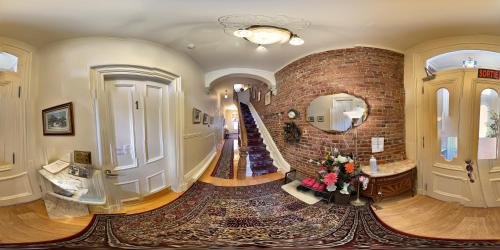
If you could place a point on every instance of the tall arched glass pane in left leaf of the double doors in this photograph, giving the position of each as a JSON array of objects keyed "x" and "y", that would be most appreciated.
[{"x": 447, "y": 129}]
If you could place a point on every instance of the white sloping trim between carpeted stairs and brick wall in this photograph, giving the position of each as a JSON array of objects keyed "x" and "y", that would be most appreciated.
[{"x": 275, "y": 154}]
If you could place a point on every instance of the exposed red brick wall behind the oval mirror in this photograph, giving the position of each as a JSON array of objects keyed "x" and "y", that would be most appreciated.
[{"x": 374, "y": 74}]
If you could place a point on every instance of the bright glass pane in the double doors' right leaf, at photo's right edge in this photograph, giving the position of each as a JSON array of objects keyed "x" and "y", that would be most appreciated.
[{"x": 488, "y": 125}]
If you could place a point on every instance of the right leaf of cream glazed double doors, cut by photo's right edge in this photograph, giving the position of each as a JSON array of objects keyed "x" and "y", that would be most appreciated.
[{"x": 486, "y": 115}]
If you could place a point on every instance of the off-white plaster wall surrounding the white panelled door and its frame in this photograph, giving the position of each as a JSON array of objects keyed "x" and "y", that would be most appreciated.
[{"x": 64, "y": 77}]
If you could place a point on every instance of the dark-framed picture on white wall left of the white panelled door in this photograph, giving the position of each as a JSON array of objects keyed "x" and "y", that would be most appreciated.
[{"x": 58, "y": 120}]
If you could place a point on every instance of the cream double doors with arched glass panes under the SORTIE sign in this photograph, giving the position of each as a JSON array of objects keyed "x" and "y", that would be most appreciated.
[{"x": 461, "y": 142}]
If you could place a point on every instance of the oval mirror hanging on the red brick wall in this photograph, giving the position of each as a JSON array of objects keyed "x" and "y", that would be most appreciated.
[{"x": 338, "y": 112}]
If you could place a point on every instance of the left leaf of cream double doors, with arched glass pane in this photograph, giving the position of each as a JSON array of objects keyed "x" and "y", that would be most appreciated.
[{"x": 448, "y": 141}]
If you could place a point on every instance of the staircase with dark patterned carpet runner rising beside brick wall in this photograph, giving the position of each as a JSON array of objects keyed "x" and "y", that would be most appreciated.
[{"x": 260, "y": 159}]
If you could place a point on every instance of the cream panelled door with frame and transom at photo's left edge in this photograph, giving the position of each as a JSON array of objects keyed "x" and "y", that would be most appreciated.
[{"x": 17, "y": 183}]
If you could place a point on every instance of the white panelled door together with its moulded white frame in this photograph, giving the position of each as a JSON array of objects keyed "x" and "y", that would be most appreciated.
[{"x": 140, "y": 131}]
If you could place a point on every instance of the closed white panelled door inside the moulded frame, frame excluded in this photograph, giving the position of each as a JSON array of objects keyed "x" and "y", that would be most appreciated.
[{"x": 137, "y": 113}]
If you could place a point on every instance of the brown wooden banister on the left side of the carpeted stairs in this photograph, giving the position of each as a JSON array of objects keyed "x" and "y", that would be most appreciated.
[{"x": 242, "y": 140}]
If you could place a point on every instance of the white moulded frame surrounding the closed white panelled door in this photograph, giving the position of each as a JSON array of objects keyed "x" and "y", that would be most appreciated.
[{"x": 175, "y": 147}]
